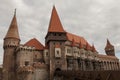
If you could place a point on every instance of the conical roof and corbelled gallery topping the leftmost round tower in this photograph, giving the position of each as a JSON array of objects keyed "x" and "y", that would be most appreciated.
[{"x": 12, "y": 37}]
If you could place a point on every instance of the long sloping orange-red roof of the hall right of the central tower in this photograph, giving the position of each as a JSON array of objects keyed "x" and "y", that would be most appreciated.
[{"x": 77, "y": 39}]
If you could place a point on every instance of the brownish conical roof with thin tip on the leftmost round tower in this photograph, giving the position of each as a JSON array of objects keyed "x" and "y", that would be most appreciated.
[{"x": 13, "y": 29}]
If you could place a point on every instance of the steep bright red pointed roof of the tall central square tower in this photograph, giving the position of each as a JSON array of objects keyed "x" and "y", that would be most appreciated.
[{"x": 55, "y": 23}]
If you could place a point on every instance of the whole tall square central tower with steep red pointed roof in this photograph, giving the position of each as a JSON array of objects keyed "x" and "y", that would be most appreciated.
[{"x": 56, "y": 36}]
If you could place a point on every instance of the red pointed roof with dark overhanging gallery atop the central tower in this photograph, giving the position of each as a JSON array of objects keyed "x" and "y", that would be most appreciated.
[{"x": 55, "y": 30}]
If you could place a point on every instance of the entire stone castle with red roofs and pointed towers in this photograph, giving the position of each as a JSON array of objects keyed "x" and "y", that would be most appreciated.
[{"x": 62, "y": 51}]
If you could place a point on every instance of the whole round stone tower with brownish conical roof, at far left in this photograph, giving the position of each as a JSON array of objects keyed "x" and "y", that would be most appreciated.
[{"x": 11, "y": 41}]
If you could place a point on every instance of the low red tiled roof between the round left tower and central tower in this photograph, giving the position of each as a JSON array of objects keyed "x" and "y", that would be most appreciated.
[{"x": 34, "y": 43}]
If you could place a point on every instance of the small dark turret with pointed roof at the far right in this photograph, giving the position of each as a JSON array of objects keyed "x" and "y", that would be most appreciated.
[{"x": 109, "y": 49}]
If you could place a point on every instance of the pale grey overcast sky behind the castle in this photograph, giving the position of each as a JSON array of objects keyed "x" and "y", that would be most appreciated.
[{"x": 95, "y": 20}]
